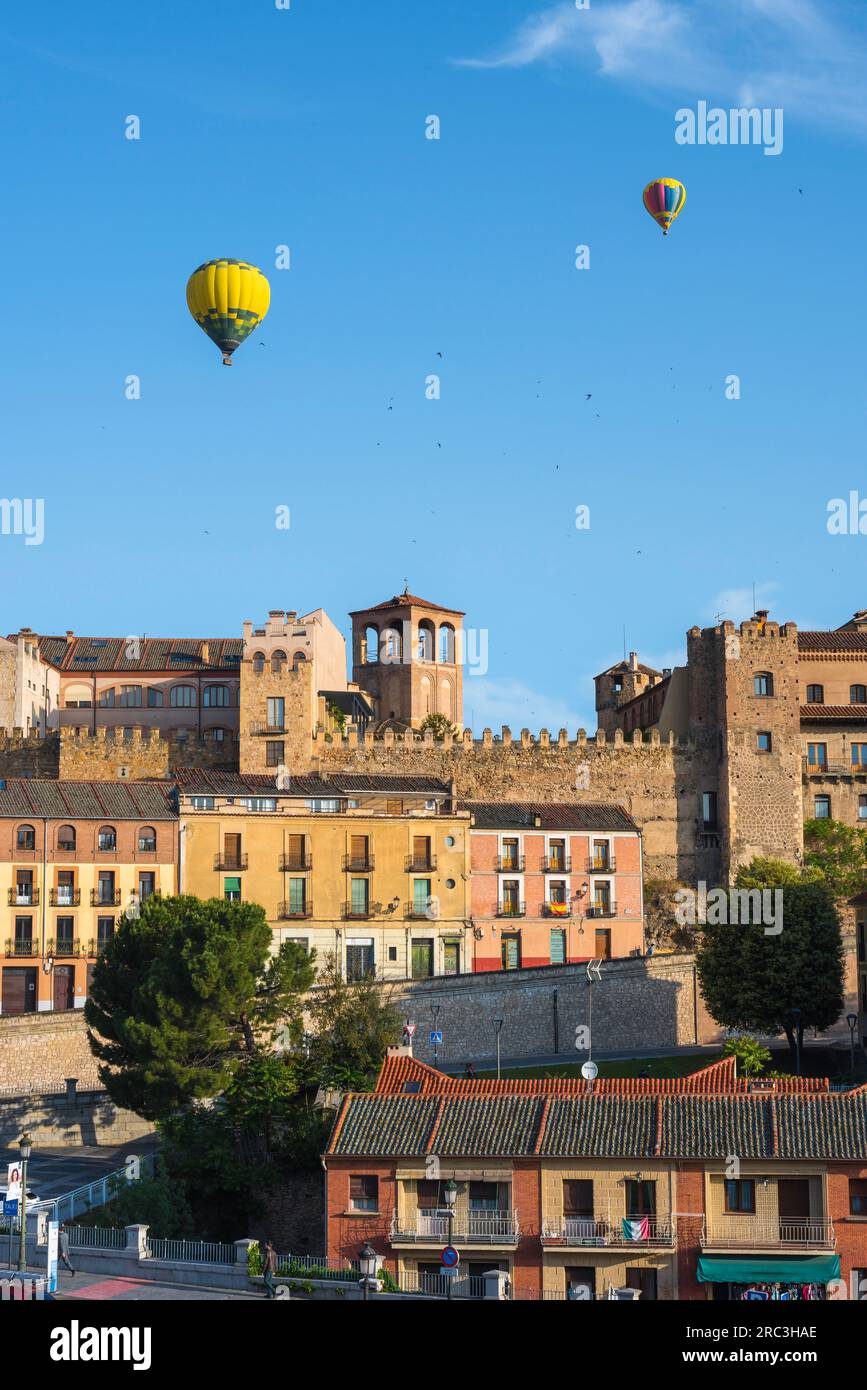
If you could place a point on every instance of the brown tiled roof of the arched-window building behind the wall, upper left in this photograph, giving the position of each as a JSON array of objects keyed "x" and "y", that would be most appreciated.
[{"x": 156, "y": 654}]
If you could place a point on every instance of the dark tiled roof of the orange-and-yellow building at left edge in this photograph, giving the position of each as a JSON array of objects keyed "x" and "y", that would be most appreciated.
[{"x": 91, "y": 800}]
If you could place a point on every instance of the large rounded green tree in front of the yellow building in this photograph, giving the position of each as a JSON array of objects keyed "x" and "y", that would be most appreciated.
[{"x": 185, "y": 995}]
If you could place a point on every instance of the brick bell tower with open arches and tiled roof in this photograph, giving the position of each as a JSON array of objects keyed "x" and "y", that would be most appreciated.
[{"x": 408, "y": 658}]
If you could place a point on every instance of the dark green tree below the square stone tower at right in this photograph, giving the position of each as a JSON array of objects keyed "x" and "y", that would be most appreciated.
[{"x": 783, "y": 983}]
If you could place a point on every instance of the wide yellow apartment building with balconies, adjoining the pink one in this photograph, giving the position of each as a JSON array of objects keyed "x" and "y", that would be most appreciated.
[{"x": 373, "y": 869}]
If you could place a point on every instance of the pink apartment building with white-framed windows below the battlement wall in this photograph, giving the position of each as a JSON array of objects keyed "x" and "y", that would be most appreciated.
[{"x": 554, "y": 883}]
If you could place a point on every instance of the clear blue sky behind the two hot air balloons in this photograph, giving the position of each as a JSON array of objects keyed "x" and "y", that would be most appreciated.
[{"x": 308, "y": 127}]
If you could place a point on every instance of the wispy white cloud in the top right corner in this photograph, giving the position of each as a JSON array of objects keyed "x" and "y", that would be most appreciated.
[{"x": 816, "y": 67}]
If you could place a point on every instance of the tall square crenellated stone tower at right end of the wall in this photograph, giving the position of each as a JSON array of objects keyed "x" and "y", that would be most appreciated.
[{"x": 745, "y": 718}]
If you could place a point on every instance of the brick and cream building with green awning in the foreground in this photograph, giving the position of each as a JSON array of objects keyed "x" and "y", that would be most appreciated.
[{"x": 570, "y": 1189}]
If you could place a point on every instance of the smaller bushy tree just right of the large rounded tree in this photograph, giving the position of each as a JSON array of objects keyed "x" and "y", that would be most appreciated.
[{"x": 354, "y": 1022}]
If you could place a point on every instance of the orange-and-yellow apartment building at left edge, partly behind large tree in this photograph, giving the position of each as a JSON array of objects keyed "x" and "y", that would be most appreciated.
[{"x": 73, "y": 858}]
